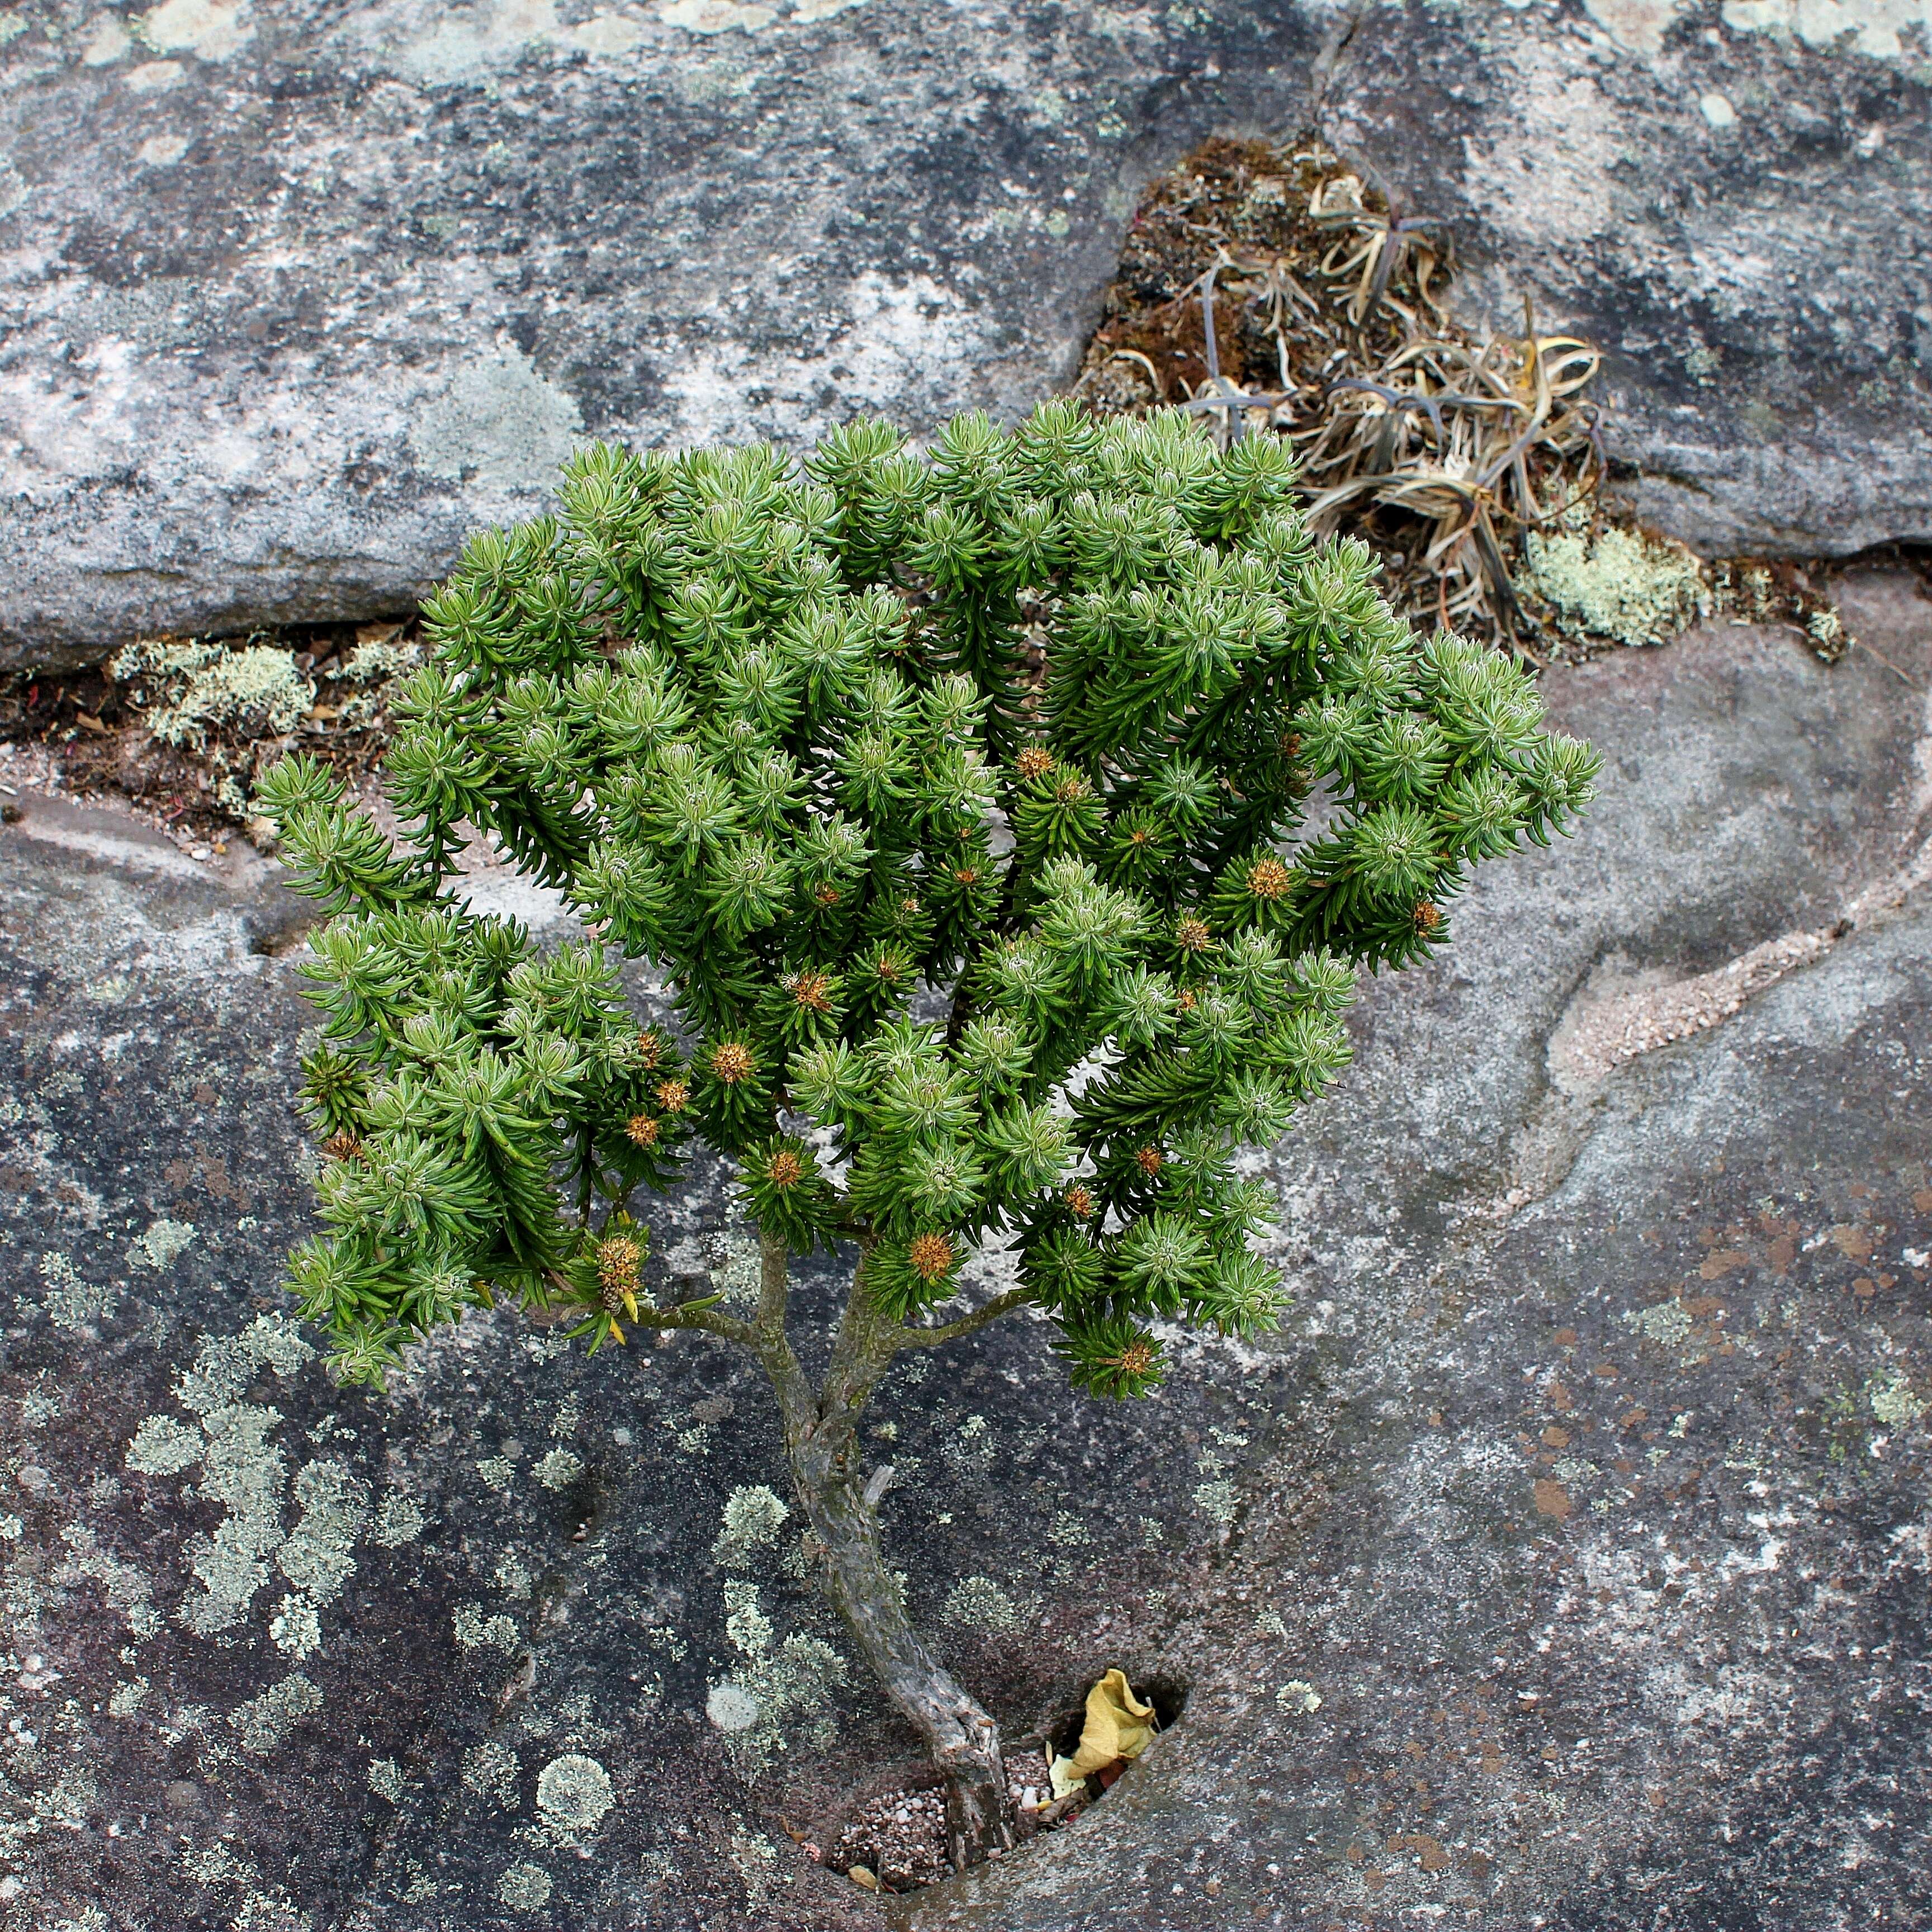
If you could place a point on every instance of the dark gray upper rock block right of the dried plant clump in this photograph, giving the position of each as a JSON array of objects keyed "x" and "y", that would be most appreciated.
[{"x": 1720, "y": 196}]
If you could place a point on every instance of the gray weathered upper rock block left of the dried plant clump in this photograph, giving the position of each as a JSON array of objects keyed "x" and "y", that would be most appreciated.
[{"x": 322, "y": 287}]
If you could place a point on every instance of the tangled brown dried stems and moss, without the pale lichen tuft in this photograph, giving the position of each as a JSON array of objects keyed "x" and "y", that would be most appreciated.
[{"x": 1438, "y": 445}]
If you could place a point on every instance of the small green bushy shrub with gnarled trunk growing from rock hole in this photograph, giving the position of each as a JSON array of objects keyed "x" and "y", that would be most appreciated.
[{"x": 955, "y": 797}]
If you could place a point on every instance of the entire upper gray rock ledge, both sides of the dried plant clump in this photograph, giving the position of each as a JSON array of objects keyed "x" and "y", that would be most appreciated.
[{"x": 293, "y": 297}]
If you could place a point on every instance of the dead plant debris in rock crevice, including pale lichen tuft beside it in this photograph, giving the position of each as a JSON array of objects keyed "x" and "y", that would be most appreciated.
[{"x": 1284, "y": 291}]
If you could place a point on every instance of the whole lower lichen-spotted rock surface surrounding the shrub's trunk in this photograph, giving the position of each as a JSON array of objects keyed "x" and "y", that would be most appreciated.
[{"x": 1562, "y": 1562}]
